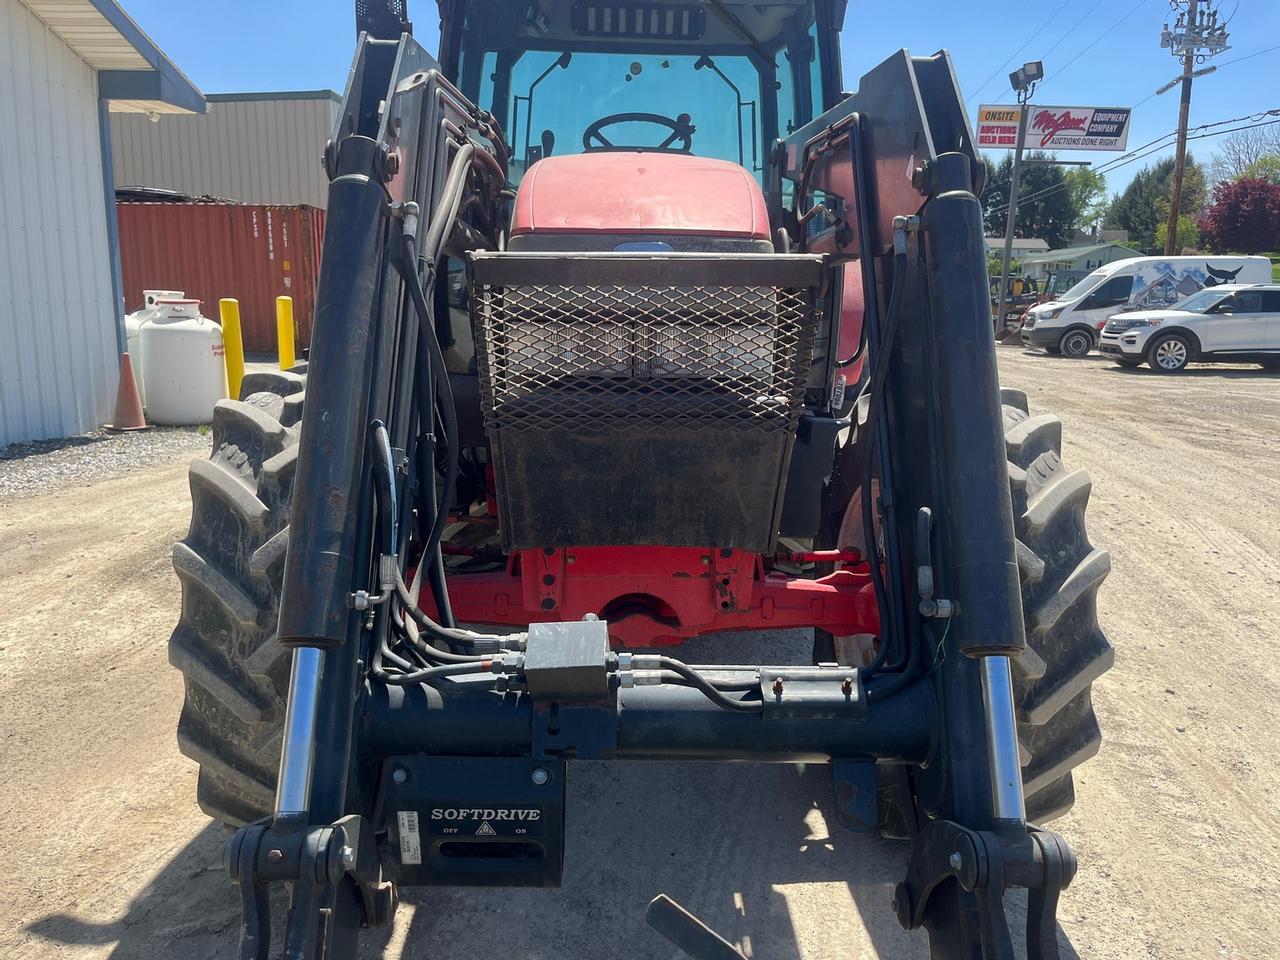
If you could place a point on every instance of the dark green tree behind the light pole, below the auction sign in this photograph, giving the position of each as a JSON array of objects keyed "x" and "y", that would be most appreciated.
[{"x": 1045, "y": 207}]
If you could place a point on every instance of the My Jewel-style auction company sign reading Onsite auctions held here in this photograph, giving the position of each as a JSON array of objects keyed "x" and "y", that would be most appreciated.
[{"x": 1055, "y": 127}]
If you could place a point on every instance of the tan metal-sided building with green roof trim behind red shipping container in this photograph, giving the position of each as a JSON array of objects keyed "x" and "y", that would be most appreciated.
[{"x": 250, "y": 148}]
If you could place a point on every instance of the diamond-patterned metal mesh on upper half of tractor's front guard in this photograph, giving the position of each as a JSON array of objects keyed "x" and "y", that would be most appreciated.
[{"x": 611, "y": 358}]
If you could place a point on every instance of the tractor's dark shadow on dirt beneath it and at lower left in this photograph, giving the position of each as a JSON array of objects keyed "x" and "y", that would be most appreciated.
[{"x": 755, "y": 851}]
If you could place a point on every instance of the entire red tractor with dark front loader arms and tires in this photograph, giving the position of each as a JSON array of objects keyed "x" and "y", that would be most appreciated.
[{"x": 633, "y": 328}]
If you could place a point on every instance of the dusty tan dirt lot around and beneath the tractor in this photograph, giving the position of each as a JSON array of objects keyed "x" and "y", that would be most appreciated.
[{"x": 1177, "y": 828}]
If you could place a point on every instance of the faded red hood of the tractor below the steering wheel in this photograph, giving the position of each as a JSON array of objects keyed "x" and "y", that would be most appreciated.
[{"x": 638, "y": 193}]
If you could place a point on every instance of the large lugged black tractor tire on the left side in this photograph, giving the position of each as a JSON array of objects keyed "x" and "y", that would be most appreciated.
[{"x": 230, "y": 566}]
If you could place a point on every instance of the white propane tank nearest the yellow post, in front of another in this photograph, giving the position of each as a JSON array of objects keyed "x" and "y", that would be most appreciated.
[{"x": 182, "y": 362}]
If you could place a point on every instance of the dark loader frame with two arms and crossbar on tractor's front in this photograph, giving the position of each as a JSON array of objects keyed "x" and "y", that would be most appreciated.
[{"x": 898, "y": 164}]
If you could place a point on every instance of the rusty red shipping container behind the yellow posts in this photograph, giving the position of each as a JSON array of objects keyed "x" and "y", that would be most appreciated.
[{"x": 253, "y": 253}]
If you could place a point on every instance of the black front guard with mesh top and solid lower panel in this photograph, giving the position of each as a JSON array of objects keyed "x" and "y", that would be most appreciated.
[{"x": 642, "y": 399}]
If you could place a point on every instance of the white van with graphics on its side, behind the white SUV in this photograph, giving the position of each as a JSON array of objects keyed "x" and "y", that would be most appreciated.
[{"x": 1071, "y": 326}]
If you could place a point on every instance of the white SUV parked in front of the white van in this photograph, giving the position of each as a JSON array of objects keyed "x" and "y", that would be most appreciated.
[{"x": 1231, "y": 323}]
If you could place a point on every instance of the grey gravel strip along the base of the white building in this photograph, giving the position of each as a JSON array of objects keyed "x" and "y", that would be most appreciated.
[{"x": 44, "y": 467}]
